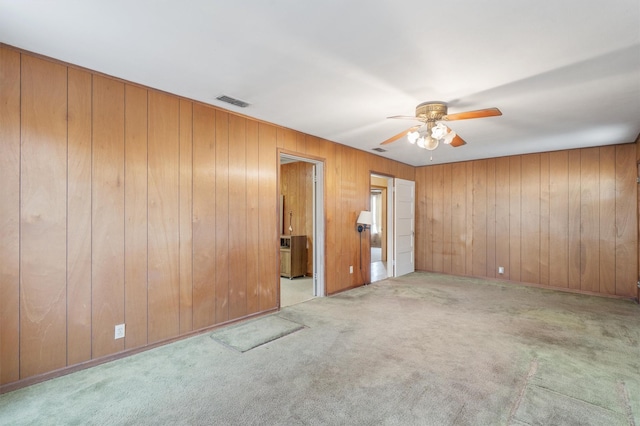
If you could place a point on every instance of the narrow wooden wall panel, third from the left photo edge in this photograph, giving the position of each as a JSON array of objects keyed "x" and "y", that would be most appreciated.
[{"x": 79, "y": 217}]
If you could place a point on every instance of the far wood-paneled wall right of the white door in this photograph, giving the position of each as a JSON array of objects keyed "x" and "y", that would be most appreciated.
[{"x": 565, "y": 219}]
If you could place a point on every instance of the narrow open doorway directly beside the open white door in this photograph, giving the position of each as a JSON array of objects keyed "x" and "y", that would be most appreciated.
[{"x": 382, "y": 227}]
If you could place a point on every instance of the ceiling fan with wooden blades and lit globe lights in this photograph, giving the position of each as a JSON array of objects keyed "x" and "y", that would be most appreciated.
[{"x": 432, "y": 131}]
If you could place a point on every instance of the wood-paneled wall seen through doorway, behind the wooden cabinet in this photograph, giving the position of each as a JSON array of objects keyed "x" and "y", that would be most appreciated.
[{"x": 296, "y": 185}]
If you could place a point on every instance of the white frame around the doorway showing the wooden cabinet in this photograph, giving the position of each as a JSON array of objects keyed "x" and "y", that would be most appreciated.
[{"x": 319, "y": 264}]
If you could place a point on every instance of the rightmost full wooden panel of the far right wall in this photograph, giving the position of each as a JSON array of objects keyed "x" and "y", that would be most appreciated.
[{"x": 626, "y": 222}]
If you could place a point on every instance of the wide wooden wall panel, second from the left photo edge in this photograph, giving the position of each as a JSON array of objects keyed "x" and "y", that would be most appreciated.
[{"x": 43, "y": 334}]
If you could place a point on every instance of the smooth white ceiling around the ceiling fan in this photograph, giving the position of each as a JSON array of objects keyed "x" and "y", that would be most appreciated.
[{"x": 565, "y": 73}]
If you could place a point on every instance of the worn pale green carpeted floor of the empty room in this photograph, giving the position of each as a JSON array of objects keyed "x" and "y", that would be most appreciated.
[{"x": 424, "y": 349}]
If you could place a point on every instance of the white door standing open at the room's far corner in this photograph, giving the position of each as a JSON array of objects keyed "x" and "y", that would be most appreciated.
[{"x": 404, "y": 235}]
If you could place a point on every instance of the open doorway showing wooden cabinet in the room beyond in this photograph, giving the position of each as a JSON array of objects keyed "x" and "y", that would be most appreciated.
[{"x": 301, "y": 240}]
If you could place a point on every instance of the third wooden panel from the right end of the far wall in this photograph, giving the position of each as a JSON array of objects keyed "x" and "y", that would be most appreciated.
[{"x": 590, "y": 219}]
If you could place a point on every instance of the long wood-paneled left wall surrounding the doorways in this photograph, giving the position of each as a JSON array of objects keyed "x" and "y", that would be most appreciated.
[{"x": 123, "y": 204}]
